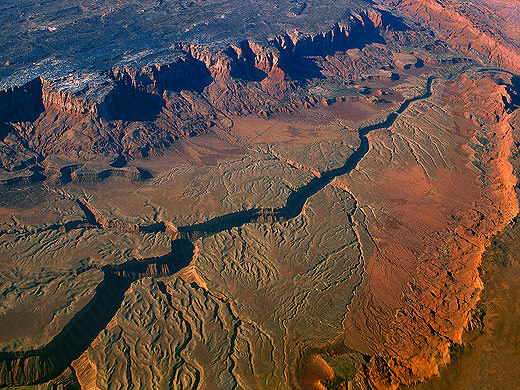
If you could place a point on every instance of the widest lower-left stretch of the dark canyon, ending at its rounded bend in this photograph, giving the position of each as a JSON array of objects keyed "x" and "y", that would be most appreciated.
[{"x": 50, "y": 361}]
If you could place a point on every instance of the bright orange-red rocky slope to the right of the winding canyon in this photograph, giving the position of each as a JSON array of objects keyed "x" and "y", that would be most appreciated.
[{"x": 424, "y": 281}]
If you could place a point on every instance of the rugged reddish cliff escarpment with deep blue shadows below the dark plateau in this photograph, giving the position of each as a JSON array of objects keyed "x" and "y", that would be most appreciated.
[{"x": 139, "y": 111}]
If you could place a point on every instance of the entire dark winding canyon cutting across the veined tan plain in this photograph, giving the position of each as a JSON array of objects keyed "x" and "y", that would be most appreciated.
[{"x": 51, "y": 360}]
